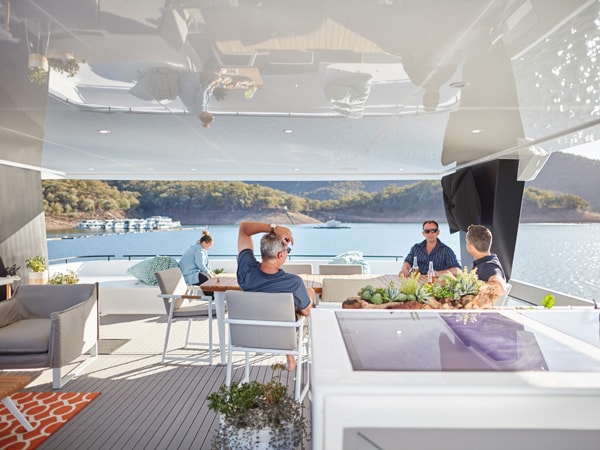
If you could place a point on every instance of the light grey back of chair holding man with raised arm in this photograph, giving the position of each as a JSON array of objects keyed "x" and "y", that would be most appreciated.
[{"x": 260, "y": 307}]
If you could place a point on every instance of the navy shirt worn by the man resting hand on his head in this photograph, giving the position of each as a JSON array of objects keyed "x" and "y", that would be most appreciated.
[{"x": 251, "y": 278}]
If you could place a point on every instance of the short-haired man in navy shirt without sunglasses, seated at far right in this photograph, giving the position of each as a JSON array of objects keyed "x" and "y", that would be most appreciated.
[{"x": 478, "y": 243}]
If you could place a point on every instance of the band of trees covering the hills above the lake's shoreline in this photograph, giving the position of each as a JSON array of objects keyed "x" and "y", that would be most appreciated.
[{"x": 144, "y": 198}]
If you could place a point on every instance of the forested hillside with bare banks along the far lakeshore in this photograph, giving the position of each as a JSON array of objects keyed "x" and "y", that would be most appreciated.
[{"x": 211, "y": 202}]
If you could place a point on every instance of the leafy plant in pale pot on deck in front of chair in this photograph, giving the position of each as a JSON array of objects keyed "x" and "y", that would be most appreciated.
[{"x": 258, "y": 415}]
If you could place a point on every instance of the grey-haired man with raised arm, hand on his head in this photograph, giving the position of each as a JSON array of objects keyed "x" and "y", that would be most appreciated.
[{"x": 267, "y": 276}]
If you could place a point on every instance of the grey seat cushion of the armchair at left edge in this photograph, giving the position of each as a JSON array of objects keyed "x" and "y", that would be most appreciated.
[{"x": 25, "y": 336}]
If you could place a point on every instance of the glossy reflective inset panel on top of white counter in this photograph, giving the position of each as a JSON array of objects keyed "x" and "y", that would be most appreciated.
[{"x": 461, "y": 341}]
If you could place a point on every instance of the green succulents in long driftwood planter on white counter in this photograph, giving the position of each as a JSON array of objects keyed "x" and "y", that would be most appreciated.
[{"x": 461, "y": 291}]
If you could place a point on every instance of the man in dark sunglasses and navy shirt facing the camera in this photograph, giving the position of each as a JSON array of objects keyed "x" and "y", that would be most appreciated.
[{"x": 431, "y": 249}]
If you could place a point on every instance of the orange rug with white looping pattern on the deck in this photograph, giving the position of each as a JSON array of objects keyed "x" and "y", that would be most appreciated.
[{"x": 45, "y": 411}]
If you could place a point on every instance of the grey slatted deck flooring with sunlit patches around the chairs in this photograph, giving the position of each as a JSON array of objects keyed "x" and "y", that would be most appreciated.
[{"x": 145, "y": 404}]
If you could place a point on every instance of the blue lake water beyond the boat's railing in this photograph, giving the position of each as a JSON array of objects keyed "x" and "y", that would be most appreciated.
[{"x": 563, "y": 257}]
